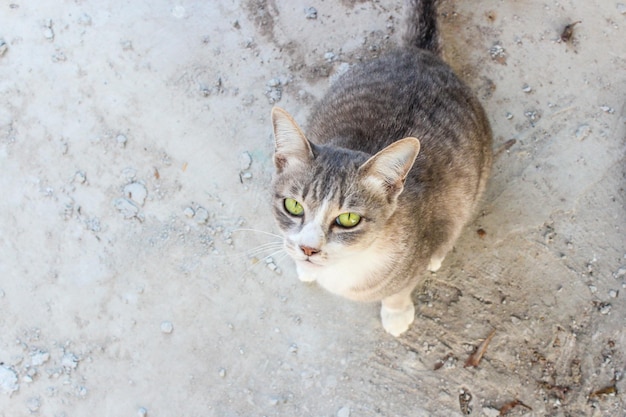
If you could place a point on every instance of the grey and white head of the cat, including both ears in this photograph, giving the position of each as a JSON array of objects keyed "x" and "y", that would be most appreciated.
[{"x": 329, "y": 202}]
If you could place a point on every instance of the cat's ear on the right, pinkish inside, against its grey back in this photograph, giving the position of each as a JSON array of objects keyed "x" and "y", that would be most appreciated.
[{"x": 387, "y": 170}]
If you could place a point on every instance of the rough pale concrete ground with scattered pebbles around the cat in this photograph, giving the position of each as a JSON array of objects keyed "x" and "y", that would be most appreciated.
[{"x": 135, "y": 158}]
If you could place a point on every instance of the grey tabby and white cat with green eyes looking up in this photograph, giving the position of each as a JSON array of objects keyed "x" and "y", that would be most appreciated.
[{"x": 396, "y": 157}]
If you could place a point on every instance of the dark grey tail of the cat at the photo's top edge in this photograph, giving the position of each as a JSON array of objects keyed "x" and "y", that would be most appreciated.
[{"x": 421, "y": 26}]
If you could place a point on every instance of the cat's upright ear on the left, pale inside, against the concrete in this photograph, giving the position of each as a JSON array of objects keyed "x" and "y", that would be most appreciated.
[{"x": 292, "y": 148}]
